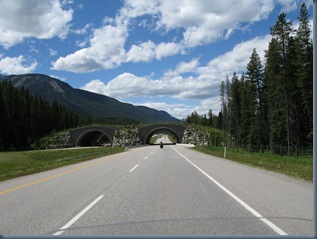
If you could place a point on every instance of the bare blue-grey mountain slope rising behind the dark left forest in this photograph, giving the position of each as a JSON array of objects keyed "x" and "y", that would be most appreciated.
[{"x": 85, "y": 102}]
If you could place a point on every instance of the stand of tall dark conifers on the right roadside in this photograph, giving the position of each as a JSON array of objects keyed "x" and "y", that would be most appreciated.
[{"x": 270, "y": 107}]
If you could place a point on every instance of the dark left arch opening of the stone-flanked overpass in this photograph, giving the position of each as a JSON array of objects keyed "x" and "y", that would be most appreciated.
[{"x": 93, "y": 138}]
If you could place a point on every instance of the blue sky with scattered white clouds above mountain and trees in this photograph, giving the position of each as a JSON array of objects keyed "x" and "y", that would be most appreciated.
[{"x": 169, "y": 55}]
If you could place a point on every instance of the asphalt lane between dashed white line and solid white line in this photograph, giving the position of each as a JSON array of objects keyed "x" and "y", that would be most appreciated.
[{"x": 166, "y": 196}]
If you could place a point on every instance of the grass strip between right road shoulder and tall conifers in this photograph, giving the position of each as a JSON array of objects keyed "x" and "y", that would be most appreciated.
[{"x": 301, "y": 167}]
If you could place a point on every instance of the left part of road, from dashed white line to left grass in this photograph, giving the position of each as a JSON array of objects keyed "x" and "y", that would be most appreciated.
[{"x": 43, "y": 207}]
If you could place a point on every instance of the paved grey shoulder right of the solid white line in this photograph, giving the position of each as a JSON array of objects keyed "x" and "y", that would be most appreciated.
[{"x": 287, "y": 202}]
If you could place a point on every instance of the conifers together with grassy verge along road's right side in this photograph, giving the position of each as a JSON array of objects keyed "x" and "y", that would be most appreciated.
[{"x": 266, "y": 116}]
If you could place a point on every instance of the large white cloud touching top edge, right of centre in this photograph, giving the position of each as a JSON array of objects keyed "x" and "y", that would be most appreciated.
[{"x": 203, "y": 21}]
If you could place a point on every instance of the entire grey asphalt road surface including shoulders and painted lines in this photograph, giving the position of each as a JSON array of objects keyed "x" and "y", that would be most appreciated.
[{"x": 148, "y": 191}]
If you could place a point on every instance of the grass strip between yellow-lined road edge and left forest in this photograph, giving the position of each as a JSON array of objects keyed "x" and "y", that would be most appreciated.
[{"x": 15, "y": 164}]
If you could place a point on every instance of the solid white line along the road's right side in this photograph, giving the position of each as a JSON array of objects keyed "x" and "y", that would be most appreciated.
[{"x": 250, "y": 209}]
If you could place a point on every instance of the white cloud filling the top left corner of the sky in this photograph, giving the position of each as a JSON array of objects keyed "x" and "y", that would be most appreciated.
[{"x": 40, "y": 19}]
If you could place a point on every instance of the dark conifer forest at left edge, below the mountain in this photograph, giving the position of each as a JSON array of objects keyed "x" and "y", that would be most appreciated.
[{"x": 25, "y": 118}]
